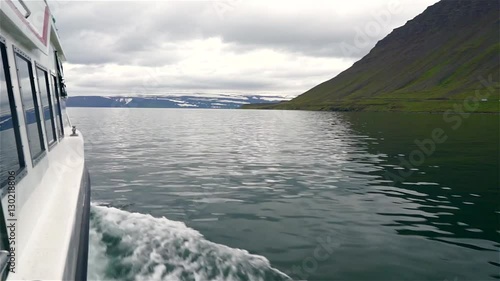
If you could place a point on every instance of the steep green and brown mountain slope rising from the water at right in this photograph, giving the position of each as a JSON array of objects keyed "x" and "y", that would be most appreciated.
[{"x": 431, "y": 63}]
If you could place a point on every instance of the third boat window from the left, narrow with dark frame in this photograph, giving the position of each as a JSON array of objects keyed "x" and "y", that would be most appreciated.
[{"x": 48, "y": 116}]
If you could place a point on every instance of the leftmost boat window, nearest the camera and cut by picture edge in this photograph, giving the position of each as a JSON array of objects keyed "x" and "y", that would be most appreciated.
[{"x": 11, "y": 153}]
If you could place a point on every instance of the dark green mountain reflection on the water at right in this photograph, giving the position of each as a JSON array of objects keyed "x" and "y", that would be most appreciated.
[{"x": 453, "y": 196}]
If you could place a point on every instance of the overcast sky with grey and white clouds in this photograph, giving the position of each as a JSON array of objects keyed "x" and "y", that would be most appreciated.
[{"x": 230, "y": 46}]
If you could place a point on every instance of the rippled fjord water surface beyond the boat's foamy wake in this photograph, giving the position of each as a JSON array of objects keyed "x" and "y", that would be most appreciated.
[{"x": 274, "y": 182}]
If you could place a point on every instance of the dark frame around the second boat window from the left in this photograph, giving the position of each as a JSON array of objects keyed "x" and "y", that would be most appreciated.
[{"x": 34, "y": 95}]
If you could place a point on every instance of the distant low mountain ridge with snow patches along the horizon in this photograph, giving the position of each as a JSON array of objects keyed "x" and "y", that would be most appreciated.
[{"x": 216, "y": 101}]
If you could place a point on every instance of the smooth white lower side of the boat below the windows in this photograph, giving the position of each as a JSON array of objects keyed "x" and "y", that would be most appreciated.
[{"x": 49, "y": 240}]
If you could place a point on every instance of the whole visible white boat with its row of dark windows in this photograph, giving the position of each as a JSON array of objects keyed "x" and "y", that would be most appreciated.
[{"x": 45, "y": 201}]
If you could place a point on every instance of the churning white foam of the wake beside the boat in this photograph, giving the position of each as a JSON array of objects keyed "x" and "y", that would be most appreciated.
[{"x": 133, "y": 246}]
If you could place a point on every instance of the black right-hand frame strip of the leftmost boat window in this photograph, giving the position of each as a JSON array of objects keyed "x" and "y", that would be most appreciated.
[{"x": 22, "y": 171}]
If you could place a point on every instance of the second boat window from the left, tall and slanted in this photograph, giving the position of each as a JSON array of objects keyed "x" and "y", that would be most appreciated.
[{"x": 30, "y": 106}]
